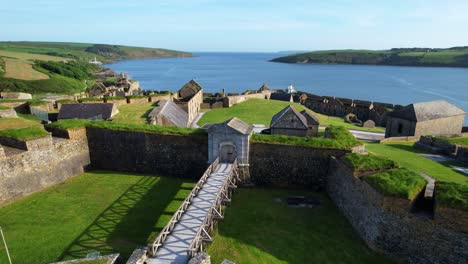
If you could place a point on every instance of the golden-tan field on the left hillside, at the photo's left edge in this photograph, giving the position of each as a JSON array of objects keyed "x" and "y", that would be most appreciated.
[{"x": 22, "y": 70}]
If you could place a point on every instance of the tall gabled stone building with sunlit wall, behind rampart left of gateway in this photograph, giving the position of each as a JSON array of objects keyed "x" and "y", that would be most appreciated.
[{"x": 190, "y": 98}]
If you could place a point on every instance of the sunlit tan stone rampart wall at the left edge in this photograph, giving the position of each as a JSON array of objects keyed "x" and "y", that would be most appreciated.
[{"x": 34, "y": 170}]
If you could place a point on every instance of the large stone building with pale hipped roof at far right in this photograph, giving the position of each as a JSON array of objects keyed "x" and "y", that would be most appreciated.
[{"x": 426, "y": 118}]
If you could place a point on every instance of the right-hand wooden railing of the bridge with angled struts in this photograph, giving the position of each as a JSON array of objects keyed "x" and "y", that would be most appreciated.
[{"x": 215, "y": 212}]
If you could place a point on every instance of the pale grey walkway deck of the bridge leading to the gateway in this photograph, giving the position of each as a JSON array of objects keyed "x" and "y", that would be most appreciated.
[{"x": 175, "y": 247}]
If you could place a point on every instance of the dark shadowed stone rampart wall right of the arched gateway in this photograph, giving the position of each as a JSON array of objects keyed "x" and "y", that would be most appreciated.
[{"x": 290, "y": 166}]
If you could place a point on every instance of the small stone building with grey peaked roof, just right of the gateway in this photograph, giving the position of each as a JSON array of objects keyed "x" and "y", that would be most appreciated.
[{"x": 289, "y": 122}]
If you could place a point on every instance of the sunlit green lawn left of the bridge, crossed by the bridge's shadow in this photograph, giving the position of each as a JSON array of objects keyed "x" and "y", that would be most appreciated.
[{"x": 98, "y": 211}]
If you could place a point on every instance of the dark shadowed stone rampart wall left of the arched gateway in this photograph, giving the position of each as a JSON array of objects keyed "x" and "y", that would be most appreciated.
[{"x": 181, "y": 156}]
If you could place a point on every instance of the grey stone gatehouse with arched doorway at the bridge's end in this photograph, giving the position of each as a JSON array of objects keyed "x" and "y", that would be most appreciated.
[{"x": 230, "y": 140}]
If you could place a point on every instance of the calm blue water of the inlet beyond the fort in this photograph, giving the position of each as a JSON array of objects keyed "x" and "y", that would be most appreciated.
[{"x": 237, "y": 72}]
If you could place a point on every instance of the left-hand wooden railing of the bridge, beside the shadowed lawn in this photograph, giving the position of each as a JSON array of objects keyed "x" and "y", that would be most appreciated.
[{"x": 180, "y": 211}]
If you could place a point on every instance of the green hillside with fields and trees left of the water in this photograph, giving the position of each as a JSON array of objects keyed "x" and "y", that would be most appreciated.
[{"x": 61, "y": 67}]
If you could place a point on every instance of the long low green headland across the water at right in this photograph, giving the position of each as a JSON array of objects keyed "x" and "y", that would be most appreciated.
[{"x": 451, "y": 57}]
